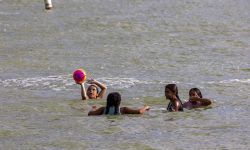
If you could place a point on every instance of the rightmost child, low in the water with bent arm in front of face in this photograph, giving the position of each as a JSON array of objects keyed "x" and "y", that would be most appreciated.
[{"x": 196, "y": 100}]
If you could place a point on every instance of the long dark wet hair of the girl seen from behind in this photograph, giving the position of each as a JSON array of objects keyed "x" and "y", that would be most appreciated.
[{"x": 113, "y": 99}]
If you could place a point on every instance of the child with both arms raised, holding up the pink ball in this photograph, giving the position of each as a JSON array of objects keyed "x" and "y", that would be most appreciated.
[{"x": 93, "y": 91}]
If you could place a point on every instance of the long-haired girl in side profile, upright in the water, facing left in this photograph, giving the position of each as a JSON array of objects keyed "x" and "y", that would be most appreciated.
[{"x": 171, "y": 93}]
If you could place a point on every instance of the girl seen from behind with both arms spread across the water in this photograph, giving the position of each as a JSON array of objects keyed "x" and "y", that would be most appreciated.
[{"x": 113, "y": 107}]
